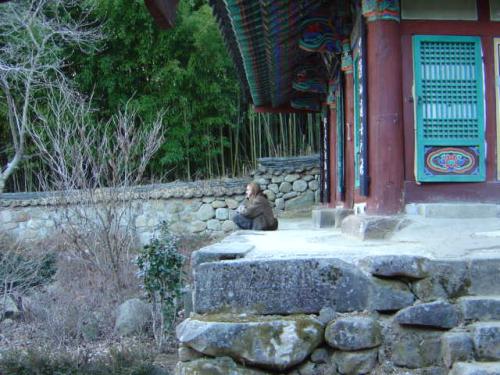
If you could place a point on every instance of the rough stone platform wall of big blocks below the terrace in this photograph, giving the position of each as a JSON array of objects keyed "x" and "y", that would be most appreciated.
[{"x": 380, "y": 315}]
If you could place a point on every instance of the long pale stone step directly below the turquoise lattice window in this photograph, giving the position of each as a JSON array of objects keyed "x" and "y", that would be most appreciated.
[{"x": 454, "y": 210}]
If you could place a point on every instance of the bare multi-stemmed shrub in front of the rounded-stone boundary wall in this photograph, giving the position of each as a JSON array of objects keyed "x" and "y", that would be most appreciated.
[{"x": 92, "y": 166}]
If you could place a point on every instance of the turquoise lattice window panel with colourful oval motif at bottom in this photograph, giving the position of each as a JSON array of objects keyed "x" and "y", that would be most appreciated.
[{"x": 449, "y": 108}]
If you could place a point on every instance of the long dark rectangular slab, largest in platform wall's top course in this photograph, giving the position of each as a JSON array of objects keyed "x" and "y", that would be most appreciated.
[{"x": 289, "y": 286}]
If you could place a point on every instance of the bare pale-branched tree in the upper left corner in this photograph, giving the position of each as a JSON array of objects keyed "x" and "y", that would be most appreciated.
[{"x": 33, "y": 38}]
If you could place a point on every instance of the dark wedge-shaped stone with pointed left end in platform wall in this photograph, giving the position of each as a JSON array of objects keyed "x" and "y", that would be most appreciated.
[{"x": 437, "y": 314}]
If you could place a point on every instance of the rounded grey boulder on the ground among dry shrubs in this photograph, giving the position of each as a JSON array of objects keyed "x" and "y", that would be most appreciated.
[{"x": 132, "y": 317}]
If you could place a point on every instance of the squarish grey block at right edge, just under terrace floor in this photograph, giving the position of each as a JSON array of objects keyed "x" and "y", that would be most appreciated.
[{"x": 485, "y": 277}]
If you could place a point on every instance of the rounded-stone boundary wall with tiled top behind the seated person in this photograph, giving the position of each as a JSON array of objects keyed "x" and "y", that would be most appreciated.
[{"x": 189, "y": 207}]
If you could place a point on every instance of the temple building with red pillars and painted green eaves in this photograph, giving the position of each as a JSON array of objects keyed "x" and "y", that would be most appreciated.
[{"x": 408, "y": 90}]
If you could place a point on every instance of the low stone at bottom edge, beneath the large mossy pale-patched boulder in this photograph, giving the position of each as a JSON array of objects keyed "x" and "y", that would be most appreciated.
[{"x": 215, "y": 366}]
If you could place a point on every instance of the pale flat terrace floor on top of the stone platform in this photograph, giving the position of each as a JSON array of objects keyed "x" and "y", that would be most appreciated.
[{"x": 432, "y": 238}]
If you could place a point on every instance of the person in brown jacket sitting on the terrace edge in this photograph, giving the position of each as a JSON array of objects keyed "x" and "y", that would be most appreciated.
[{"x": 256, "y": 213}]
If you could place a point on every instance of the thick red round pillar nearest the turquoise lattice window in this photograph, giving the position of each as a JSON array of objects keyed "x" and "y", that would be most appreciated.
[{"x": 385, "y": 116}]
